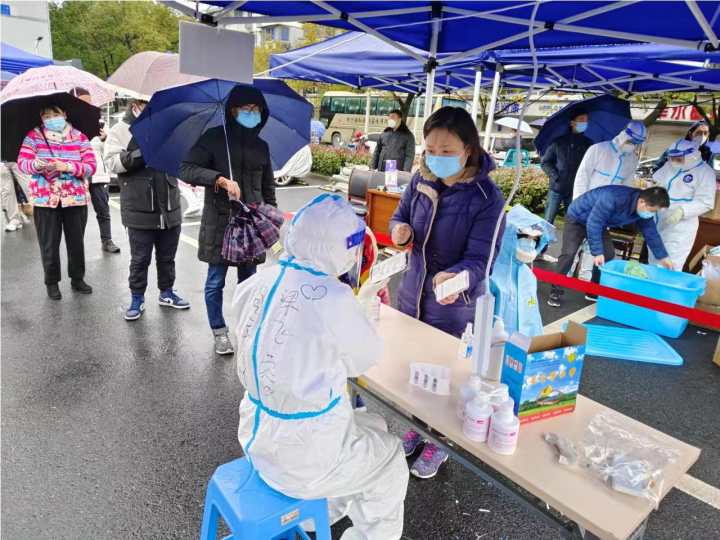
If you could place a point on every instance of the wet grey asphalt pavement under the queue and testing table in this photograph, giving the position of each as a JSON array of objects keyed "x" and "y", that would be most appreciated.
[{"x": 111, "y": 429}]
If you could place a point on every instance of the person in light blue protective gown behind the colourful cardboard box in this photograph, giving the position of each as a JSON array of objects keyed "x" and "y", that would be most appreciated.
[{"x": 513, "y": 282}]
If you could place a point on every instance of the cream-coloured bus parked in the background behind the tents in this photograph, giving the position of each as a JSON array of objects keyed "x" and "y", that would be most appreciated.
[{"x": 343, "y": 113}]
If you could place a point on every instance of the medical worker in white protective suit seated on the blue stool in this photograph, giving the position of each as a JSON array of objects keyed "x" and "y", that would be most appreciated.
[{"x": 301, "y": 334}]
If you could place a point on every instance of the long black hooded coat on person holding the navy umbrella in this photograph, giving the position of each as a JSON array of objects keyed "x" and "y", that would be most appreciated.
[{"x": 251, "y": 169}]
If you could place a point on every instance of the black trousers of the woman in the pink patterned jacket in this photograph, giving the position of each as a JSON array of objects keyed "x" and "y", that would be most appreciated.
[{"x": 50, "y": 223}]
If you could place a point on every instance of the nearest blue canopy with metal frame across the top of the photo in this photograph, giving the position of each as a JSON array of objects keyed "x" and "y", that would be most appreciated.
[{"x": 447, "y": 26}]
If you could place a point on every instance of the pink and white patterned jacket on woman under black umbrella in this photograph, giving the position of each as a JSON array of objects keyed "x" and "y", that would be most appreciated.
[{"x": 53, "y": 189}]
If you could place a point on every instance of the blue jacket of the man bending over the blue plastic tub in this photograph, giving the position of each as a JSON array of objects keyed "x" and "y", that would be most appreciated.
[{"x": 613, "y": 206}]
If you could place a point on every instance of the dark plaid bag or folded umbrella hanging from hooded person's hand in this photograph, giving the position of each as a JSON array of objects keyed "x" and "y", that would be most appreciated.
[{"x": 251, "y": 231}]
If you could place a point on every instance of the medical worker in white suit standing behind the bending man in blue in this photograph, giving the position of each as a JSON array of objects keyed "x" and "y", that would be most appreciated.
[{"x": 606, "y": 163}]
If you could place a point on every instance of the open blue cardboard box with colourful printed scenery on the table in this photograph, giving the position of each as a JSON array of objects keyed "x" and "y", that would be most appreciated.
[{"x": 543, "y": 373}]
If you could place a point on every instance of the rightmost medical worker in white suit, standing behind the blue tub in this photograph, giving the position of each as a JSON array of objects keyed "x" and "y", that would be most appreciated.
[{"x": 690, "y": 182}]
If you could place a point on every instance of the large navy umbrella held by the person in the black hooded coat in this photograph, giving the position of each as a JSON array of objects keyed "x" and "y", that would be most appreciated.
[{"x": 175, "y": 118}]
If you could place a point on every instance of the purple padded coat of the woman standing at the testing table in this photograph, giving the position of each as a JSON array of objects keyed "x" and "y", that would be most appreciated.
[{"x": 452, "y": 231}]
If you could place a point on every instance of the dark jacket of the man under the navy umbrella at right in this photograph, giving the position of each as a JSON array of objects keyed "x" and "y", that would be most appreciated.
[{"x": 562, "y": 159}]
